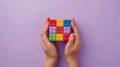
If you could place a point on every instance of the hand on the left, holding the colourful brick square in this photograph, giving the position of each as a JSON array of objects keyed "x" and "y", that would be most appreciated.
[{"x": 49, "y": 48}]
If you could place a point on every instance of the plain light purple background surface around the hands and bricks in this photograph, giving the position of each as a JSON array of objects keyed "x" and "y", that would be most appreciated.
[{"x": 22, "y": 20}]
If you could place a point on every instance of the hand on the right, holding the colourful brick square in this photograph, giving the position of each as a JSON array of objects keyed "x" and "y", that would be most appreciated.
[{"x": 72, "y": 47}]
